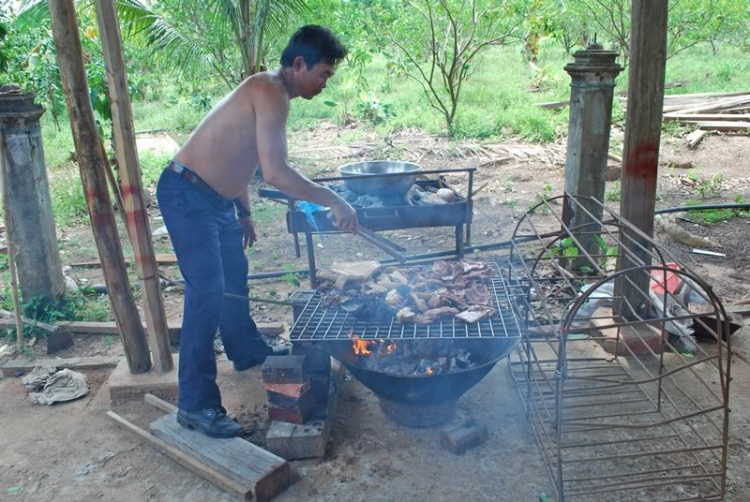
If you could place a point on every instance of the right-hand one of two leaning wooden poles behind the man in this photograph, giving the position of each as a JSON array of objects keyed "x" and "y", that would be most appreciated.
[{"x": 130, "y": 172}]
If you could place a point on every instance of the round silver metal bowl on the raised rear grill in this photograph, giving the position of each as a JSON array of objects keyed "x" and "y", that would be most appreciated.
[{"x": 380, "y": 177}]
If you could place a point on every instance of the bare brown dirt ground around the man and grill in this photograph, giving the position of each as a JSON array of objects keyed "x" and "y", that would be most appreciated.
[{"x": 69, "y": 452}]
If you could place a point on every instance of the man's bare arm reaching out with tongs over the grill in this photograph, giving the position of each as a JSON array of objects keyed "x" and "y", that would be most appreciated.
[{"x": 271, "y": 113}]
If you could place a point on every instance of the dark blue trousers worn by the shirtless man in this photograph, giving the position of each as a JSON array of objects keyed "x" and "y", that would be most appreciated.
[{"x": 207, "y": 239}]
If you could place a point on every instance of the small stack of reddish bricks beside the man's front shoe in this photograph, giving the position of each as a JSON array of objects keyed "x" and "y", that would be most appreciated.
[{"x": 287, "y": 384}]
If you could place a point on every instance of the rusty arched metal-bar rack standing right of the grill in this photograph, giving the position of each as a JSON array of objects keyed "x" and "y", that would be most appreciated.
[{"x": 641, "y": 421}]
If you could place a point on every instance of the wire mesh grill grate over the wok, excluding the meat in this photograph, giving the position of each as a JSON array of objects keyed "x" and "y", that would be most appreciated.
[{"x": 318, "y": 323}]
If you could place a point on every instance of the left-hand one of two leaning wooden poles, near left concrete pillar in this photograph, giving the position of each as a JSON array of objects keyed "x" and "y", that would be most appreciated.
[{"x": 91, "y": 164}]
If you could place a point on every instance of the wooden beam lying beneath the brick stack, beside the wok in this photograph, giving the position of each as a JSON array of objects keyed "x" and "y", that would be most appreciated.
[{"x": 310, "y": 440}]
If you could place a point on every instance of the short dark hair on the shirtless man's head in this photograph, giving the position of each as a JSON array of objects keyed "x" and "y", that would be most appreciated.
[{"x": 315, "y": 44}]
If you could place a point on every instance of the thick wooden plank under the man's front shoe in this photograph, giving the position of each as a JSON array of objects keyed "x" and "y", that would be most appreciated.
[{"x": 252, "y": 467}]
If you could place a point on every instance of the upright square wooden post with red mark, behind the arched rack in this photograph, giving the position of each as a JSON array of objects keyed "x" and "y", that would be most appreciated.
[{"x": 648, "y": 44}]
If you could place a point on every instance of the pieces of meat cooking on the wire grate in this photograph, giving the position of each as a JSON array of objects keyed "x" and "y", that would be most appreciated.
[{"x": 415, "y": 295}]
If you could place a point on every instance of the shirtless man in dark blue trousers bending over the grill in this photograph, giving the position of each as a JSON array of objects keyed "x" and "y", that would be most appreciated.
[{"x": 199, "y": 193}]
